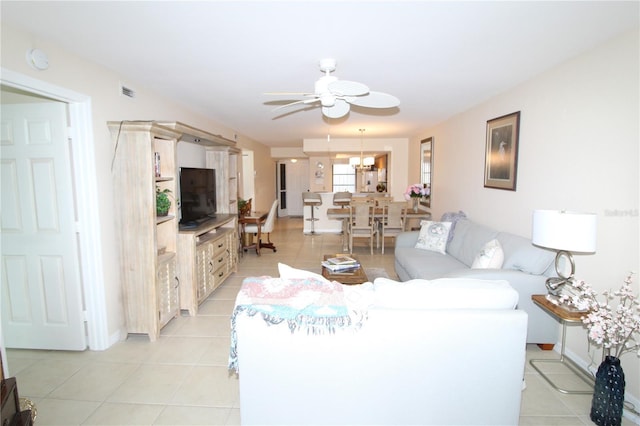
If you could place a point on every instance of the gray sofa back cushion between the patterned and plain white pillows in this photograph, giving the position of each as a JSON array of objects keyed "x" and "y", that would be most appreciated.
[{"x": 468, "y": 240}]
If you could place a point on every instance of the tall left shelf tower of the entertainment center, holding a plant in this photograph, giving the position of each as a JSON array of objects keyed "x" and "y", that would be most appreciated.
[{"x": 148, "y": 242}]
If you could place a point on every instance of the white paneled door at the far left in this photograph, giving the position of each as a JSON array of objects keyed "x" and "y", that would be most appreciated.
[{"x": 42, "y": 305}]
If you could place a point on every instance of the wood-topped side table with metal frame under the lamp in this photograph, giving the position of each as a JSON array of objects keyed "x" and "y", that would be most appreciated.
[{"x": 565, "y": 315}]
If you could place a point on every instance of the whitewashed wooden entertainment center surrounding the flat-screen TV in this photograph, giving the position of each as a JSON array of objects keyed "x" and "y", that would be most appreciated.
[{"x": 164, "y": 268}]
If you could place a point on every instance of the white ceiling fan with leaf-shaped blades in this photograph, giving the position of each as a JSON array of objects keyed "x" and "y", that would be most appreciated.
[{"x": 336, "y": 96}]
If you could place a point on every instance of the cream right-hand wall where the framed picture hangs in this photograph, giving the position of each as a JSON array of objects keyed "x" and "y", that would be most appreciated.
[{"x": 579, "y": 139}]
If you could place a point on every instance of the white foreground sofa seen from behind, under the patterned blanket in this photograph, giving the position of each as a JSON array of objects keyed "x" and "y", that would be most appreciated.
[{"x": 446, "y": 352}]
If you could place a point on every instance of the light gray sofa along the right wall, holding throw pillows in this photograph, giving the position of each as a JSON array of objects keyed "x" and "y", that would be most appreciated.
[{"x": 525, "y": 267}]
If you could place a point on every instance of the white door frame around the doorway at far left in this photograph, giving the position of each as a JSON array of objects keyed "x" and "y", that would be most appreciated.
[{"x": 89, "y": 236}]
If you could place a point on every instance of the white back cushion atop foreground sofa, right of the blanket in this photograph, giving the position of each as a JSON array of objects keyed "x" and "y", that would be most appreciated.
[{"x": 444, "y": 293}]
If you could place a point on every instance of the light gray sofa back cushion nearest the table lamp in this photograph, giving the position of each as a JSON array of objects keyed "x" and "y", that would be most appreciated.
[{"x": 520, "y": 254}]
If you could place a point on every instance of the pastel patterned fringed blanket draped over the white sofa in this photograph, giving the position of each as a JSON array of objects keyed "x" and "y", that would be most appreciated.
[{"x": 306, "y": 304}]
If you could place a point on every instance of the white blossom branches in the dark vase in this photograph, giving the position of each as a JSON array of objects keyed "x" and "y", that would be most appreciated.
[{"x": 616, "y": 330}]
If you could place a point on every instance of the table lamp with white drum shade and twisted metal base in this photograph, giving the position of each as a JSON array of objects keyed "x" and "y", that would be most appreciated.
[{"x": 567, "y": 232}]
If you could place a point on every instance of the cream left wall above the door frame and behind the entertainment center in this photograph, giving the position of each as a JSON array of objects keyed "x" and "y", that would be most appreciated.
[{"x": 102, "y": 85}]
